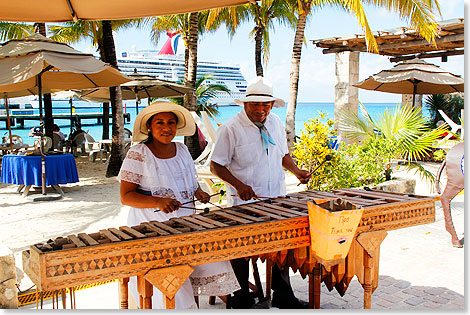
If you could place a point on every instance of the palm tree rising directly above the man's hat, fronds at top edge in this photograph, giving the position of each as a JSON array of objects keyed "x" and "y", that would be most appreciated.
[{"x": 263, "y": 13}]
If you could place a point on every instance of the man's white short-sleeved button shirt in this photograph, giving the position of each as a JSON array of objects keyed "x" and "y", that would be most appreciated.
[{"x": 239, "y": 148}]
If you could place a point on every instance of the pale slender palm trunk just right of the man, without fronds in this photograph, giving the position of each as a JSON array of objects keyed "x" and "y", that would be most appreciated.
[{"x": 294, "y": 79}]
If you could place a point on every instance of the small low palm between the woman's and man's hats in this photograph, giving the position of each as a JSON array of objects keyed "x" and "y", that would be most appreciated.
[{"x": 204, "y": 94}]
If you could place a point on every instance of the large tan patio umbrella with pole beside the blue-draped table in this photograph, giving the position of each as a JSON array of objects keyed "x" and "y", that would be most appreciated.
[{"x": 37, "y": 65}]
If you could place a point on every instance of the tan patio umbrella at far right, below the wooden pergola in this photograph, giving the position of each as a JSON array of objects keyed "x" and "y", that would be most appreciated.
[{"x": 414, "y": 77}]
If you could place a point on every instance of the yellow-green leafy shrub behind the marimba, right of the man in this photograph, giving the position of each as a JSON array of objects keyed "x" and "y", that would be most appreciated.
[{"x": 351, "y": 165}]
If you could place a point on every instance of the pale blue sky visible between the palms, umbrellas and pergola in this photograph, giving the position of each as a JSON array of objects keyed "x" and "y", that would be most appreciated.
[{"x": 317, "y": 70}]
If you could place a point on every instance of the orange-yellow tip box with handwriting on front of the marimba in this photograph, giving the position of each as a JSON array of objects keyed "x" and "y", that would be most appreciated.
[{"x": 332, "y": 225}]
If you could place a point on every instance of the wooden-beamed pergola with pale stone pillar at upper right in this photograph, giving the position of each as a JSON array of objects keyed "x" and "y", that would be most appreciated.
[{"x": 398, "y": 44}]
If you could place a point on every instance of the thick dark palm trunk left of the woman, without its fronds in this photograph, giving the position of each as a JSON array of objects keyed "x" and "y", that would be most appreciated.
[{"x": 117, "y": 152}]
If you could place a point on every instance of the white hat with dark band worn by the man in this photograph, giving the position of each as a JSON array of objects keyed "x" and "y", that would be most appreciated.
[{"x": 260, "y": 90}]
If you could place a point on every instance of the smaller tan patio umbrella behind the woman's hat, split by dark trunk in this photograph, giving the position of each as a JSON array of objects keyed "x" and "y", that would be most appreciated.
[{"x": 142, "y": 86}]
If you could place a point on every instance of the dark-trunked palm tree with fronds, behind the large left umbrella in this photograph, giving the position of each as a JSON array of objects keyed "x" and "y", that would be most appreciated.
[{"x": 101, "y": 33}]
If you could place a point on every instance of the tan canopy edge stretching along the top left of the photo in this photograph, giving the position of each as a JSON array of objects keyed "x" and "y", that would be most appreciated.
[{"x": 73, "y": 10}]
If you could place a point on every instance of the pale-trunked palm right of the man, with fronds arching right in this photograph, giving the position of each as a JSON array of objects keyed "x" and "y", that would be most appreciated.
[{"x": 419, "y": 14}]
